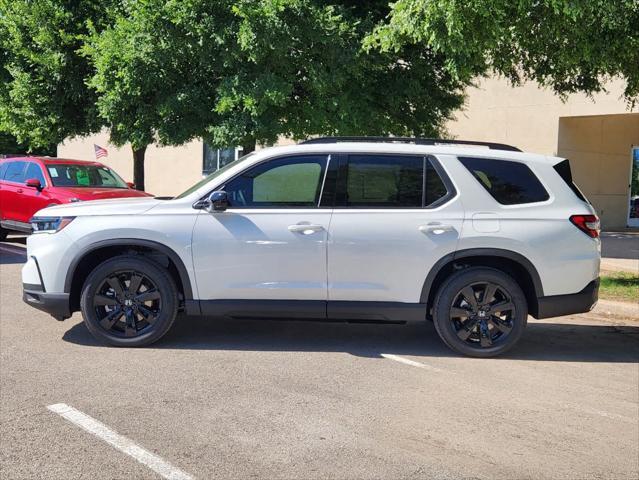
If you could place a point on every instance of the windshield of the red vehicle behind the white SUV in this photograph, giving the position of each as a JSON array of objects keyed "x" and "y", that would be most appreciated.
[{"x": 73, "y": 175}]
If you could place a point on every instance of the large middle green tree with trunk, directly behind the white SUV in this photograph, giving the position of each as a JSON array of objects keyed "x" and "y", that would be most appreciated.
[{"x": 245, "y": 72}]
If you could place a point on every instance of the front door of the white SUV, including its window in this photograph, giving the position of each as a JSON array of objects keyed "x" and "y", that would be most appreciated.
[{"x": 270, "y": 244}]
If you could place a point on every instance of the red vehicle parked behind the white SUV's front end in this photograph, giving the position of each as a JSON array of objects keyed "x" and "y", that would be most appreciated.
[{"x": 28, "y": 184}]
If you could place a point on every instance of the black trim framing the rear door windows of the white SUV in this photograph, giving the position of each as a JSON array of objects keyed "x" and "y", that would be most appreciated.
[{"x": 340, "y": 197}]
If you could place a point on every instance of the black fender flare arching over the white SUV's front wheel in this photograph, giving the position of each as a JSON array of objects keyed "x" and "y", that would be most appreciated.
[{"x": 132, "y": 242}]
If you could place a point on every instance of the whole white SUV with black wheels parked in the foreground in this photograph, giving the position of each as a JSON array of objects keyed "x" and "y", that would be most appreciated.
[{"x": 355, "y": 229}]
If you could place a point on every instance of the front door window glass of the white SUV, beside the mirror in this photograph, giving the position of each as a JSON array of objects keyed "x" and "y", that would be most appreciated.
[{"x": 290, "y": 182}]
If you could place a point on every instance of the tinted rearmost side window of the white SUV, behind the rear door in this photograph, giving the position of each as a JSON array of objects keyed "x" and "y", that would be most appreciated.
[{"x": 509, "y": 183}]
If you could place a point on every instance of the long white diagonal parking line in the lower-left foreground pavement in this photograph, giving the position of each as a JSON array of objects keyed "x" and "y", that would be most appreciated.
[{"x": 100, "y": 430}]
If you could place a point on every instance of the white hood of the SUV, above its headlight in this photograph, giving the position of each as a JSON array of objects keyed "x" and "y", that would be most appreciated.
[{"x": 119, "y": 206}]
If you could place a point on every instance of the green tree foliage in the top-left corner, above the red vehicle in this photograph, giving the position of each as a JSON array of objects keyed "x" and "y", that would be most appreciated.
[{"x": 43, "y": 93}]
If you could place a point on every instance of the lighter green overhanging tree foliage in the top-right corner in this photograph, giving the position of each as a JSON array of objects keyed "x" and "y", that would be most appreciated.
[{"x": 569, "y": 45}]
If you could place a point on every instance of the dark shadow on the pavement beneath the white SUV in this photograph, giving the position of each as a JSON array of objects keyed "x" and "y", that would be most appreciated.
[{"x": 541, "y": 341}]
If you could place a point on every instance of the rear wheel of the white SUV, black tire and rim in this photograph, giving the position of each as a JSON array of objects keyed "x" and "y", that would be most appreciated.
[{"x": 459, "y": 320}]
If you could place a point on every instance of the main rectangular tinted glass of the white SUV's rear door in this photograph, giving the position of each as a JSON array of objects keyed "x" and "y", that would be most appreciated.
[{"x": 384, "y": 181}]
